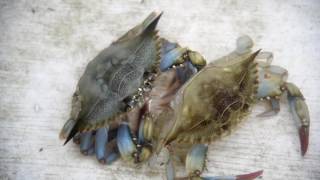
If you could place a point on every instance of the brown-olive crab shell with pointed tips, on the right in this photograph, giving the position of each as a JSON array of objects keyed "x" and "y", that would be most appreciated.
[{"x": 212, "y": 102}]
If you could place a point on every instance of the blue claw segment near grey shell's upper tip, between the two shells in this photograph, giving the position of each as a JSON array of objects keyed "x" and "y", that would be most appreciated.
[{"x": 171, "y": 58}]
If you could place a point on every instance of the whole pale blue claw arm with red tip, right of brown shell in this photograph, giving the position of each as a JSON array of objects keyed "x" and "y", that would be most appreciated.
[{"x": 272, "y": 84}]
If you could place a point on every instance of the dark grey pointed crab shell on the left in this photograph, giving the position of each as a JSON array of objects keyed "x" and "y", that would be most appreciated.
[{"x": 114, "y": 75}]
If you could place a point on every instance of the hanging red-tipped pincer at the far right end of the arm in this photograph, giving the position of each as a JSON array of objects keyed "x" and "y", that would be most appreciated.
[{"x": 300, "y": 113}]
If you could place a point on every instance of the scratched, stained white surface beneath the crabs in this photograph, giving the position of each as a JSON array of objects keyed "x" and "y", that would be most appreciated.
[{"x": 45, "y": 46}]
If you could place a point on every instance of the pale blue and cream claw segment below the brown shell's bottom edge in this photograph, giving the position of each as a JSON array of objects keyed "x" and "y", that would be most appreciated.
[{"x": 195, "y": 160}]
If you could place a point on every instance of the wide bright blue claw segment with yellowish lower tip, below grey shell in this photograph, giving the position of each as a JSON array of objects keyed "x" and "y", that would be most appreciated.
[{"x": 125, "y": 144}]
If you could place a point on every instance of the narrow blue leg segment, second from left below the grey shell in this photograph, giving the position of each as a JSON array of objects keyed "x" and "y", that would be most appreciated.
[{"x": 100, "y": 144}]
